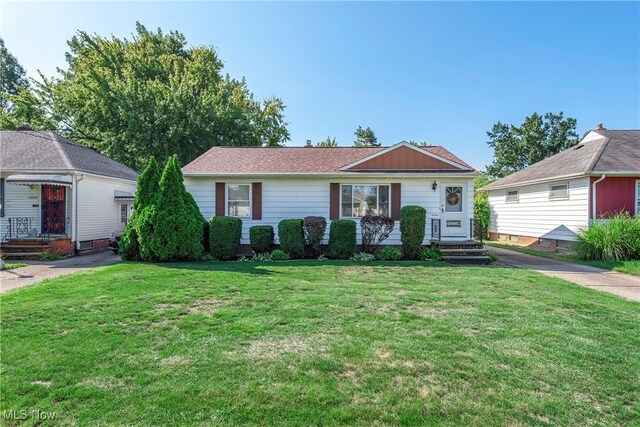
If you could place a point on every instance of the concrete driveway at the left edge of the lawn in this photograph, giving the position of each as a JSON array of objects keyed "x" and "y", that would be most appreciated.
[{"x": 37, "y": 271}]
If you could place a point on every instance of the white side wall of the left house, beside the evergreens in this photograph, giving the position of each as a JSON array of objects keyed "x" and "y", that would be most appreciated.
[{"x": 98, "y": 211}]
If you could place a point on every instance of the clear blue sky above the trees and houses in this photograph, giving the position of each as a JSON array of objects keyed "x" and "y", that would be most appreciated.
[{"x": 440, "y": 72}]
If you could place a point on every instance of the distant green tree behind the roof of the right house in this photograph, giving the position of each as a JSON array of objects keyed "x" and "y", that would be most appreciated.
[{"x": 538, "y": 137}]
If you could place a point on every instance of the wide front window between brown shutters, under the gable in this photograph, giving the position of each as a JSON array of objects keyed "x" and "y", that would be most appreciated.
[{"x": 358, "y": 200}]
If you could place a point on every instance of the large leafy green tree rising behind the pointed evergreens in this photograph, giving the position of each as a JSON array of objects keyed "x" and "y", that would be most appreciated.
[{"x": 153, "y": 95}]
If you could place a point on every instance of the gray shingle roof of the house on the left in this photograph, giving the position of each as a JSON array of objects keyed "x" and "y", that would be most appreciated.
[{"x": 48, "y": 151}]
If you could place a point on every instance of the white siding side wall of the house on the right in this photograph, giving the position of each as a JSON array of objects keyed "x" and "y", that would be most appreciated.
[{"x": 536, "y": 216}]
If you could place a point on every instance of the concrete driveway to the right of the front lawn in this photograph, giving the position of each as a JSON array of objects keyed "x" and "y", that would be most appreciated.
[{"x": 624, "y": 285}]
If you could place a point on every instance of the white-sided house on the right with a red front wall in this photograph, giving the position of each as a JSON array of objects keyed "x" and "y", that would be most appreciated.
[{"x": 547, "y": 203}]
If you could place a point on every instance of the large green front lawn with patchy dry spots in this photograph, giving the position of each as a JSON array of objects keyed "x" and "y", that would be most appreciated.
[{"x": 309, "y": 343}]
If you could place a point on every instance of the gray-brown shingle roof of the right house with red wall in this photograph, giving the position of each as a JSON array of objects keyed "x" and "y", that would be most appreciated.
[{"x": 600, "y": 151}]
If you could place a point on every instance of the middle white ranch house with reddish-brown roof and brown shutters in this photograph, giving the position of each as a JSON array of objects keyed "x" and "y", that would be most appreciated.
[{"x": 263, "y": 185}]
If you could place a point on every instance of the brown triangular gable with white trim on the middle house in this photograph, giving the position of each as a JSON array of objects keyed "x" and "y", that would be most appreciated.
[{"x": 404, "y": 157}]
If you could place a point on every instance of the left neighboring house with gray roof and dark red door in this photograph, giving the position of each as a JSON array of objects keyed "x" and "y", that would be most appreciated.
[{"x": 60, "y": 193}]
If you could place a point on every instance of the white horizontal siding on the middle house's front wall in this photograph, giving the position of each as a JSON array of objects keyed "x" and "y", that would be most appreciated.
[{"x": 289, "y": 198}]
